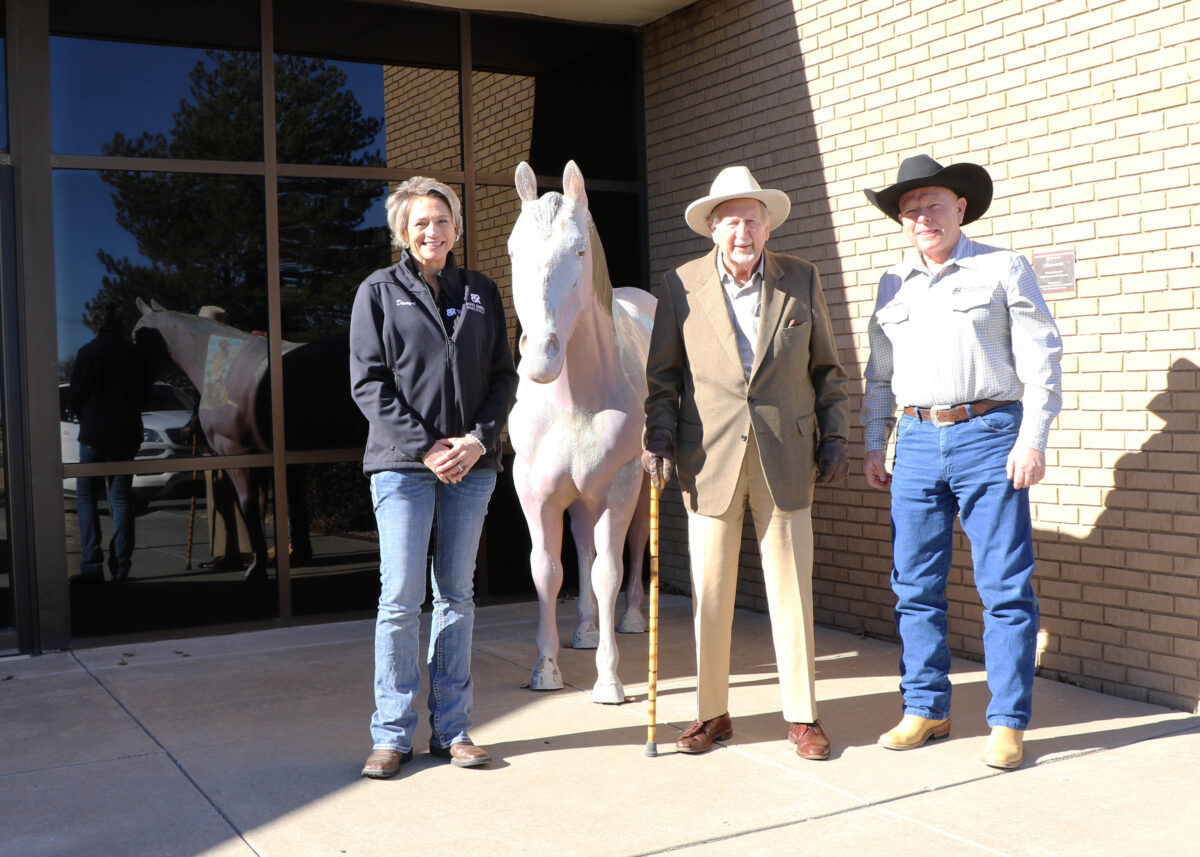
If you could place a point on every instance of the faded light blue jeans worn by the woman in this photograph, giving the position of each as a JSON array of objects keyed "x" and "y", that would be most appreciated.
[{"x": 409, "y": 506}]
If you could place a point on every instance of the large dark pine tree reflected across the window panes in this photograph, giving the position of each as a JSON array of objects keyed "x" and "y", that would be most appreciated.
[{"x": 203, "y": 237}]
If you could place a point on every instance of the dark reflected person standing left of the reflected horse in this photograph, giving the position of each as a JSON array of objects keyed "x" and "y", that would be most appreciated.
[{"x": 107, "y": 392}]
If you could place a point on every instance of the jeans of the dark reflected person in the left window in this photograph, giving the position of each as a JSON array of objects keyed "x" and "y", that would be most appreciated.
[{"x": 121, "y": 506}]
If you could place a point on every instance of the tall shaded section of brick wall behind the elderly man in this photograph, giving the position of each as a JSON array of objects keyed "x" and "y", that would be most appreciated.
[{"x": 710, "y": 106}]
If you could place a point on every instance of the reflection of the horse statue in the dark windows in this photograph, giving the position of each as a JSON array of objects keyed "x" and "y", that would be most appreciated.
[{"x": 230, "y": 368}]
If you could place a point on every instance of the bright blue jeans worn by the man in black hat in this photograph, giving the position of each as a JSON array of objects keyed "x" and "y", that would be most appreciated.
[{"x": 940, "y": 474}]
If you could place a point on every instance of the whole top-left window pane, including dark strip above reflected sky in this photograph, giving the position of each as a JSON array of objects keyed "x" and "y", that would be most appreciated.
[{"x": 179, "y": 80}]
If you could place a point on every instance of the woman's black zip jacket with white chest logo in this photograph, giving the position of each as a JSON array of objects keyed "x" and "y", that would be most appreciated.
[{"x": 413, "y": 382}]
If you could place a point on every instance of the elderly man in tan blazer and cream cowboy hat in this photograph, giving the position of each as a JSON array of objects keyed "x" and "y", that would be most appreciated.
[{"x": 747, "y": 404}]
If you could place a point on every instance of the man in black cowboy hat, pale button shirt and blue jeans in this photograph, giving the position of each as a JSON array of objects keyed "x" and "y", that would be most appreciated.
[{"x": 963, "y": 340}]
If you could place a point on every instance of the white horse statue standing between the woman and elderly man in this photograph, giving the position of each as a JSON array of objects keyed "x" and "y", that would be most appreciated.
[{"x": 578, "y": 423}]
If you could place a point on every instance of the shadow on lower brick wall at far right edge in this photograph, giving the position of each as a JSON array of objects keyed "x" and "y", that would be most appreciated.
[{"x": 1123, "y": 606}]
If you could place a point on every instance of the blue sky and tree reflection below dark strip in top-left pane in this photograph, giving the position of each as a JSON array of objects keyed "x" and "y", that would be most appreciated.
[{"x": 155, "y": 101}]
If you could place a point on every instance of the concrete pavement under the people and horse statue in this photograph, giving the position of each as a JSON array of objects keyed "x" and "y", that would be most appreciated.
[{"x": 253, "y": 744}]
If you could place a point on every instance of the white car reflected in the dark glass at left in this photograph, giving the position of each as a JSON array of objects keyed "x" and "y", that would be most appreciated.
[{"x": 166, "y": 434}]
